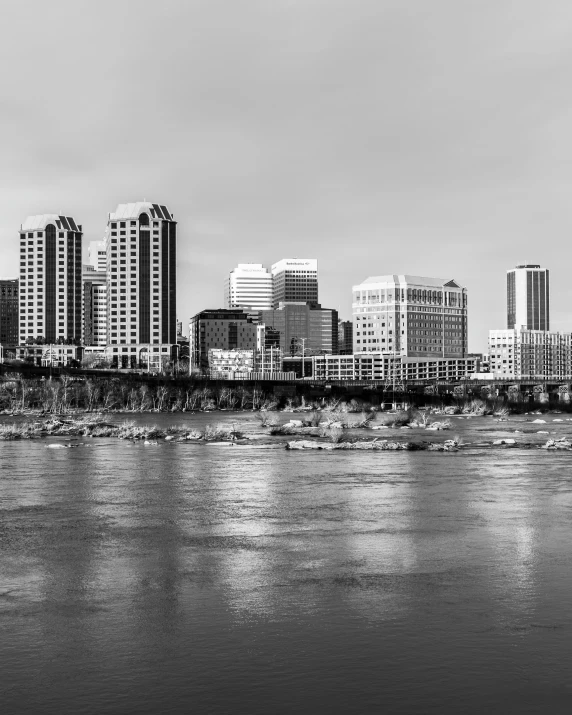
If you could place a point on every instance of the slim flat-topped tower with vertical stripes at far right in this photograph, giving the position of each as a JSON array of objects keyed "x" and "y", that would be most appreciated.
[{"x": 528, "y": 298}]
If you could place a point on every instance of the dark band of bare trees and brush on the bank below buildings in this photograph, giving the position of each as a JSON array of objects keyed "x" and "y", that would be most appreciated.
[{"x": 67, "y": 395}]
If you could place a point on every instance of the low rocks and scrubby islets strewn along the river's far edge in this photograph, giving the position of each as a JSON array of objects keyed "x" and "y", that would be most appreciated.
[{"x": 326, "y": 430}]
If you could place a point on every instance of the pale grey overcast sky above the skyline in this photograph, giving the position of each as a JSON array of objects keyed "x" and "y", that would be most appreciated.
[{"x": 429, "y": 137}]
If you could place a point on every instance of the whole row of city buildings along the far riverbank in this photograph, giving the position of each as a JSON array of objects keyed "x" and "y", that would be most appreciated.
[{"x": 134, "y": 300}]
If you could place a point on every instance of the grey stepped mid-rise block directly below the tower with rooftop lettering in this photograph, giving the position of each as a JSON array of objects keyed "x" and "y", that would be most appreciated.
[{"x": 303, "y": 328}]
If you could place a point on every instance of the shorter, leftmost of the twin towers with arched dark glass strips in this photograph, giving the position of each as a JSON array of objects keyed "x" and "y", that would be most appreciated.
[{"x": 50, "y": 279}]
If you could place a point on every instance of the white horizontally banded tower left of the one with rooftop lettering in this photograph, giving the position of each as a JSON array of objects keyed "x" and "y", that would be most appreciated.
[{"x": 248, "y": 286}]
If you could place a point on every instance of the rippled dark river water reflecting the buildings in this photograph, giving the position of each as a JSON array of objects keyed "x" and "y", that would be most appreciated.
[{"x": 198, "y": 578}]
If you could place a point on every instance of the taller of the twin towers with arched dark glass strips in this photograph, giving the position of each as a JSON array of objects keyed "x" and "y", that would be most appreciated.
[{"x": 141, "y": 247}]
